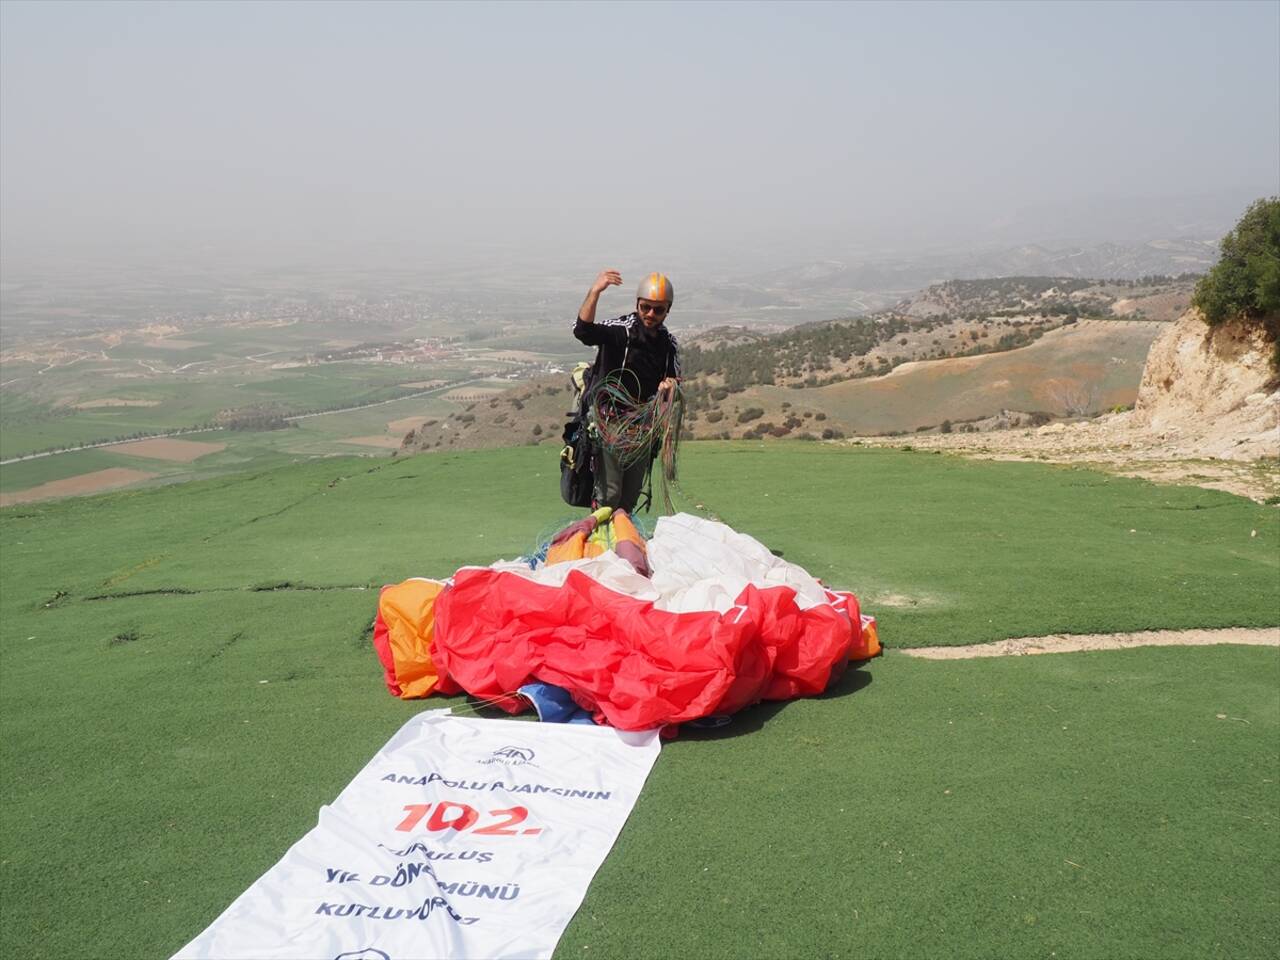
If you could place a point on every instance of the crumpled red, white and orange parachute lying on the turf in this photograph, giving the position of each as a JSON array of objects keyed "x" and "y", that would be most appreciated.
[{"x": 719, "y": 624}]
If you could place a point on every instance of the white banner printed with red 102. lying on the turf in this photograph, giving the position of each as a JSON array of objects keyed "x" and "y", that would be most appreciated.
[{"x": 463, "y": 838}]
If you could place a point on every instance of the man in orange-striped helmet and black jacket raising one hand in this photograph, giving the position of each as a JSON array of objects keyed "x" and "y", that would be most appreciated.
[{"x": 644, "y": 355}]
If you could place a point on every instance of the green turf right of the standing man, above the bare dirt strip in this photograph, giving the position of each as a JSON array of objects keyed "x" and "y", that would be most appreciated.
[{"x": 971, "y": 551}]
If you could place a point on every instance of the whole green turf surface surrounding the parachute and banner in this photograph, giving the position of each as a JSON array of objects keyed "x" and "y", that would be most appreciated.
[{"x": 1095, "y": 806}]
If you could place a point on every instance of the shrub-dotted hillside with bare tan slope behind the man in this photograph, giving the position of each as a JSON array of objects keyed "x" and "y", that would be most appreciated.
[{"x": 830, "y": 378}]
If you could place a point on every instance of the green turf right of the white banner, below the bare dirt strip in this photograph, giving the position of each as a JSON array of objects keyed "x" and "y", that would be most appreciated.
[{"x": 1085, "y": 806}]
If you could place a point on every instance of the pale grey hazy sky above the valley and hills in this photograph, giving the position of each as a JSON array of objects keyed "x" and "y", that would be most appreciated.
[{"x": 335, "y": 131}]
